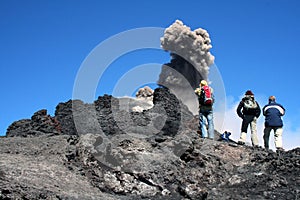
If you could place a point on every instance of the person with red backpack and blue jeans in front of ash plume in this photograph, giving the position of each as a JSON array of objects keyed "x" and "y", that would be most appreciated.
[{"x": 206, "y": 100}]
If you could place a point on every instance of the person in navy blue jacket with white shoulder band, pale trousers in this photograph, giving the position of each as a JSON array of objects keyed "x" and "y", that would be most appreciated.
[{"x": 273, "y": 112}]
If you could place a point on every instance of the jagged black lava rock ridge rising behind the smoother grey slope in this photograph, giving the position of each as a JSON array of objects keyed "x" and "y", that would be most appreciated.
[{"x": 105, "y": 116}]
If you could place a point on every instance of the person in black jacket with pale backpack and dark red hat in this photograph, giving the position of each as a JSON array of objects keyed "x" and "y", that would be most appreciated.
[{"x": 249, "y": 110}]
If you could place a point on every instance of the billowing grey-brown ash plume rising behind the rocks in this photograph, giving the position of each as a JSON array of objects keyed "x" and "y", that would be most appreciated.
[{"x": 190, "y": 61}]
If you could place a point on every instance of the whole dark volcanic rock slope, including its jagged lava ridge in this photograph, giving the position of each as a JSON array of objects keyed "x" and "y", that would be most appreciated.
[{"x": 105, "y": 152}]
